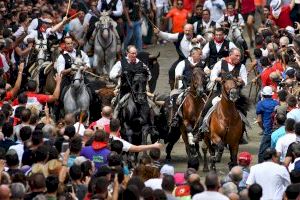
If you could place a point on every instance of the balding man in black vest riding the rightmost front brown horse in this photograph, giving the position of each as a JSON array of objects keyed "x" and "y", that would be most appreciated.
[{"x": 229, "y": 65}]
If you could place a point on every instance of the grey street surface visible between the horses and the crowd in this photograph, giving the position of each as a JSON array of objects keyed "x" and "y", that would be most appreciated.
[{"x": 179, "y": 157}]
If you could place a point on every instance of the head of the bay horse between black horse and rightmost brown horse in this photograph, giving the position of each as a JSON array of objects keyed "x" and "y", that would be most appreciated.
[{"x": 198, "y": 81}]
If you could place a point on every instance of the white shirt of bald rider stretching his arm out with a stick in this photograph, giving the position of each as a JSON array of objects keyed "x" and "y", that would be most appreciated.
[{"x": 173, "y": 37}]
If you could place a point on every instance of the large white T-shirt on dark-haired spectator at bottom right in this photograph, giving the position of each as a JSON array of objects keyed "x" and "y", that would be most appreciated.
[{"x": 272, "y": 177}]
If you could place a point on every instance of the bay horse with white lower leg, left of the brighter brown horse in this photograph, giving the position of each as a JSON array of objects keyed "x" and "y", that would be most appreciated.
[{"x": 191, "y": 110}]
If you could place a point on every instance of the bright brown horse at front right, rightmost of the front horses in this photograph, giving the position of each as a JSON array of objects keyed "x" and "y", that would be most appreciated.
[{"x": 225, "y": 126}]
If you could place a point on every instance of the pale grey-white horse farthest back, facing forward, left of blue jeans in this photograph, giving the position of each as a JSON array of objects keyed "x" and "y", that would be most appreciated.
[{"x": 105, "y": 45}]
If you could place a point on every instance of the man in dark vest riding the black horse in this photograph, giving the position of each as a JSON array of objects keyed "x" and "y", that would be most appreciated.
[{"x": 126, "y": 69}]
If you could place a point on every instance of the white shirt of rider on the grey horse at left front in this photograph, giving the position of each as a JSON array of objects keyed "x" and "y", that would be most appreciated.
[{"x": 60, "y": 62}]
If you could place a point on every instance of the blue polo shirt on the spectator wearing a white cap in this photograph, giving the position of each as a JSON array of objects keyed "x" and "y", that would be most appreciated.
[{"x": 265, "y": 108}]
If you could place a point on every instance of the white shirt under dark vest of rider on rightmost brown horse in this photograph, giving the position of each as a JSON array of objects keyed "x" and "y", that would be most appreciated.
[{"x": 217, "y": 70}]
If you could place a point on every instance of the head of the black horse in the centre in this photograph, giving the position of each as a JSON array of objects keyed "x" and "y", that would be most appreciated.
[{"x": 139, "y": 84}]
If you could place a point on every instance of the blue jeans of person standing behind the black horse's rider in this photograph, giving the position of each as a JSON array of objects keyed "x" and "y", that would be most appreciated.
[{"x": 135, "y": 30}]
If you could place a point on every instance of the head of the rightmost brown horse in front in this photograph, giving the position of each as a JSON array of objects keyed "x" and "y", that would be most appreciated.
[{"x": 230, "y": 87}]
